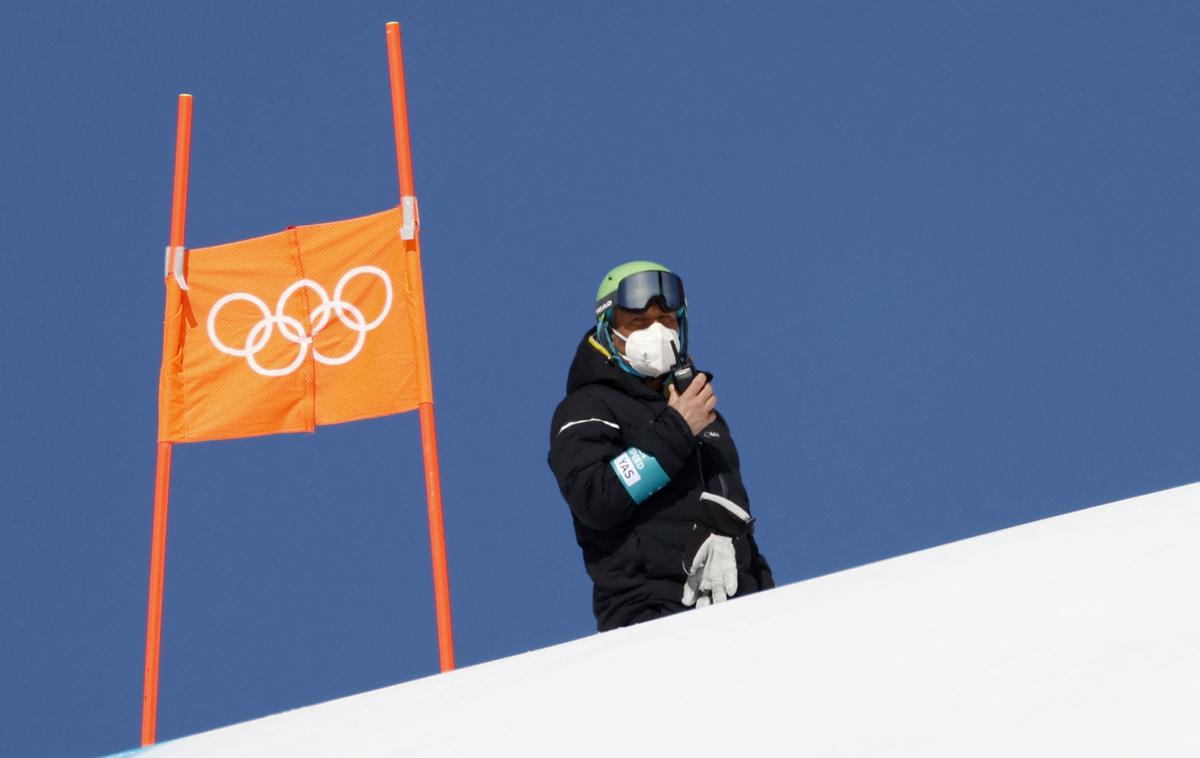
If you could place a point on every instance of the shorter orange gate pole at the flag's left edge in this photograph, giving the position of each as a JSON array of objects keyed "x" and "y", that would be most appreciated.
[{"x": 163, "y": 472}]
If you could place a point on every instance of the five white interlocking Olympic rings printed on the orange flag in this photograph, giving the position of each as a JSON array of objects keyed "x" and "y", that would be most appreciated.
[{"x": 295, "y": 332}]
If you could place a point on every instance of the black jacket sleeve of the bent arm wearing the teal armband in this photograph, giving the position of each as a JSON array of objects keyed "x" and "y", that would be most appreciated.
[{"x": 586, "y": 438}]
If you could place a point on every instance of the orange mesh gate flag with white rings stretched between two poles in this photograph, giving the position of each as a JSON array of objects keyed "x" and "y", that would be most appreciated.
[{"x": 314, "y": 326}]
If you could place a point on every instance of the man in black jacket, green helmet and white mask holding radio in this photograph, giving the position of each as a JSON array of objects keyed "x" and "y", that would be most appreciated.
[{"x": 647, "y": 465}]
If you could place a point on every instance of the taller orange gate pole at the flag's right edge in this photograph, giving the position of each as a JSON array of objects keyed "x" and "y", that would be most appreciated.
[{"x": 411, "y": 234}]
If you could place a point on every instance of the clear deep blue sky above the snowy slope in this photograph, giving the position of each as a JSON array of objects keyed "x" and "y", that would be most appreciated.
[{"x": 941, "y": 258}]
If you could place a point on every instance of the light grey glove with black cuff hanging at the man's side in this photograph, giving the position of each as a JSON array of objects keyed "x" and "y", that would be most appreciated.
[{"x": 710, "y": 560}]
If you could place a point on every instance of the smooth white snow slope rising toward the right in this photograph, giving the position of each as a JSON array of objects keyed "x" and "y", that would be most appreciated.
[{"x": 1073, "y": 636}]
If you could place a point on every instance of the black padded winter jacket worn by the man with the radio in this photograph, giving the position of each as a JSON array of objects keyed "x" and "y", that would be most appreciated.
[{"x": 634, "y": 554}]
